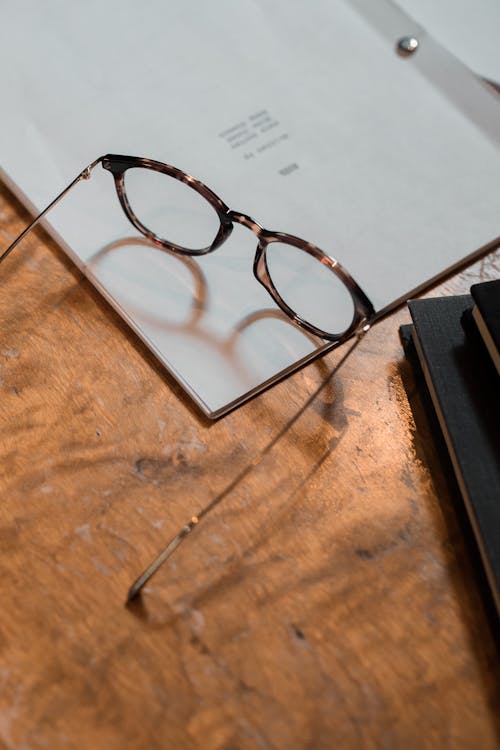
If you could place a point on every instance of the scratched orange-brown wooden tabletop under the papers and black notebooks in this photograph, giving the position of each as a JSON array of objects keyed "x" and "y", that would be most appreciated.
[{"x": 332, "y": 600}]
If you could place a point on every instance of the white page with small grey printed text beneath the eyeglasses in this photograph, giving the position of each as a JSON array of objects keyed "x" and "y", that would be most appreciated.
[{"x": 397, "y": 160}]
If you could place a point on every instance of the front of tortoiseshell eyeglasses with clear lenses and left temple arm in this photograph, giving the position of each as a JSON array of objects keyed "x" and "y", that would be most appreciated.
[{"x": 181, "y": 214}]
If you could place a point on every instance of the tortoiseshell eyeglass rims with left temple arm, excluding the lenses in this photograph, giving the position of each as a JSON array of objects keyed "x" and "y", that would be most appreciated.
[{"x": 363, "y": 311}]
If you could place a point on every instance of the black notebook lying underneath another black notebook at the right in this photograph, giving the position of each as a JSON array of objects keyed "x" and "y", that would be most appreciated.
[{"x": 463, "y": 384}]
